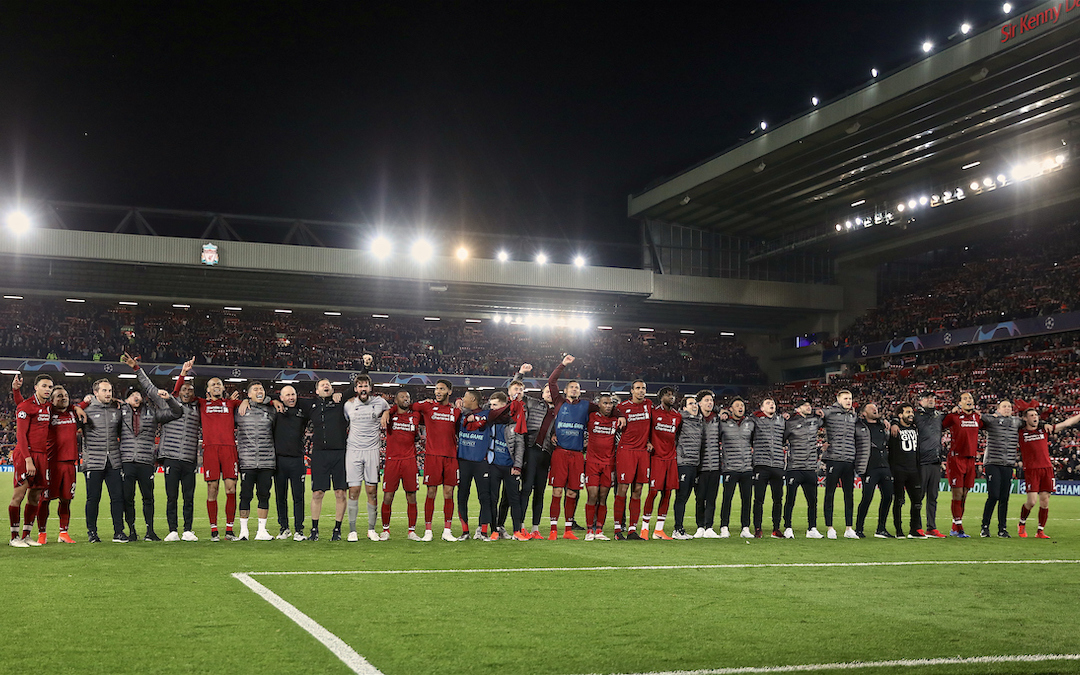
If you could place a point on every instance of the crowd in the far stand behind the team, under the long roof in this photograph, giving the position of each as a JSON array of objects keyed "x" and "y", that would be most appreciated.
[{"x": 306, "y": 340}]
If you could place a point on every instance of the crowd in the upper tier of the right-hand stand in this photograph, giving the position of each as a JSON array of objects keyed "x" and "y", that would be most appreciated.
[{"x": 992, "y": 280}]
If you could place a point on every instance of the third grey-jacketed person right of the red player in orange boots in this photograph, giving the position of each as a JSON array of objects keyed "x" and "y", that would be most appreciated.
[{"x": 737, "y": 435}]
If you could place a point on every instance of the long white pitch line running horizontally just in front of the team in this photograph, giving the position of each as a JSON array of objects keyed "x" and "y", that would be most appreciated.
[{"x": 652, "y": 568}]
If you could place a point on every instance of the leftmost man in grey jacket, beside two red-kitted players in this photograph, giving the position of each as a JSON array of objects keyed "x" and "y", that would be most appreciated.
[{"x": 101, "y": 461}]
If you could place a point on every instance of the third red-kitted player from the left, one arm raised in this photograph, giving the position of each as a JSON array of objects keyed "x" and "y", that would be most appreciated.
[{"x": 221, "y": 463}]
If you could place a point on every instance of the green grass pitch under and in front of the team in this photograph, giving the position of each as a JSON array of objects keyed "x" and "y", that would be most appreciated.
[{"x": 643, "y": 607}]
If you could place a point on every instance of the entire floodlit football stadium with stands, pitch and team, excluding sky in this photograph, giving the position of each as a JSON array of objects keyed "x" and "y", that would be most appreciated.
[{"x": 818, "y": 411}]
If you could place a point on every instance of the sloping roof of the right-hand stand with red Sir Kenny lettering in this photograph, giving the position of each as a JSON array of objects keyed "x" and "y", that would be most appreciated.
[{"x": 992, "y": 101}]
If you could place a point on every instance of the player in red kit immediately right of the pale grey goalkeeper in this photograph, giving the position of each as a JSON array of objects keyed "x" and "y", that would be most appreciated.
[{"x": 403, "y": 428}]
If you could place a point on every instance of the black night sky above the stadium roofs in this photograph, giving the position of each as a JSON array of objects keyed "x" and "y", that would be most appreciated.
[{"x": 535, "y": 117}]
